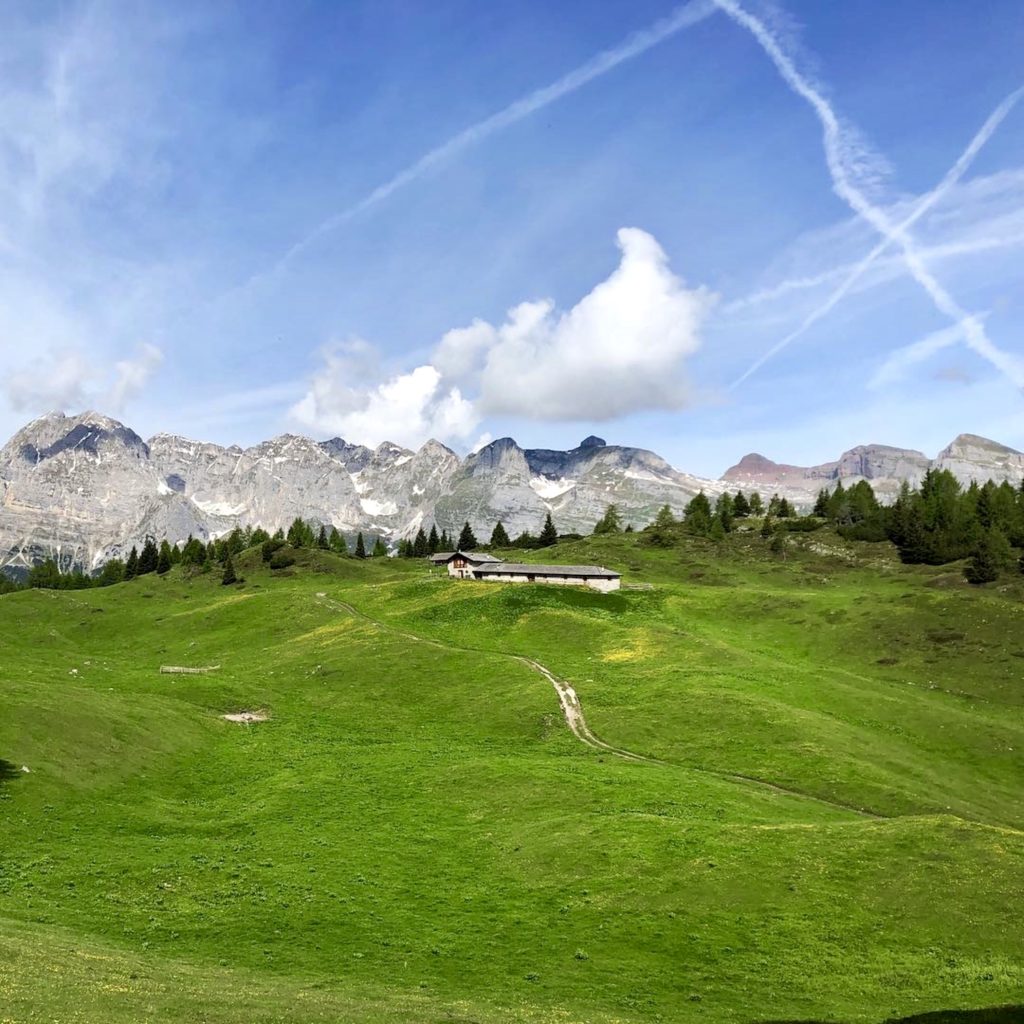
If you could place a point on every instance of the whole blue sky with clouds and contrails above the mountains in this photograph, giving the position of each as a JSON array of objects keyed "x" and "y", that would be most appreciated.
[{"x": 218, "y": 221}]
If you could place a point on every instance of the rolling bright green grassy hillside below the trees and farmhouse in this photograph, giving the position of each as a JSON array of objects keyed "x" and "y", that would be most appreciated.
[{"x": 830, "y": 826}]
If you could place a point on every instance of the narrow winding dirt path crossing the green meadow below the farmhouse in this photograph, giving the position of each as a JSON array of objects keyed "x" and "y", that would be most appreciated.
[{"x": 575, "y": 719}]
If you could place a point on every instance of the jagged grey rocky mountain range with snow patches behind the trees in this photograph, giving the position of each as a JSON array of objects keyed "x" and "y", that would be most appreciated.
[{"x": 84, "y": 489}]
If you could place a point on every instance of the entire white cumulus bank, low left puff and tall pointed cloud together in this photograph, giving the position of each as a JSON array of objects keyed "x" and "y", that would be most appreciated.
[{"x": 621, "y": 350}]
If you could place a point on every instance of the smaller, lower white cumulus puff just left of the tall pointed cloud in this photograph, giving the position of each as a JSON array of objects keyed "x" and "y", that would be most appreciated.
[{"x": 405, "y": 408}]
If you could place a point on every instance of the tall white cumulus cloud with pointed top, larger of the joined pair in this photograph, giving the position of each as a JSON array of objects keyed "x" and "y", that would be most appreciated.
[{"x": 620, "y": 350}]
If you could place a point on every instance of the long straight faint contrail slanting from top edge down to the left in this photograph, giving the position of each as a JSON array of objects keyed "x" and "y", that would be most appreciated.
[{"x": 685, "y": 17}]
